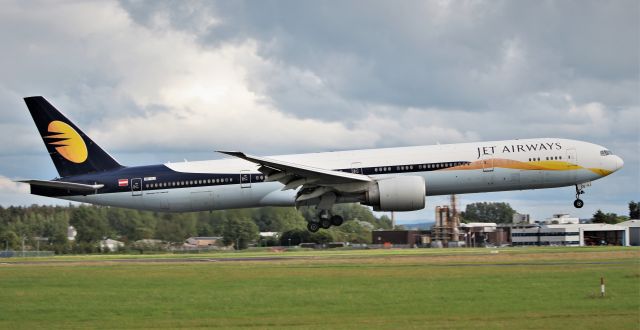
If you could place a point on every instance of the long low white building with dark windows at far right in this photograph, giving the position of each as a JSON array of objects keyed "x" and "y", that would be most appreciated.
[{"x": 572, "y": 234}]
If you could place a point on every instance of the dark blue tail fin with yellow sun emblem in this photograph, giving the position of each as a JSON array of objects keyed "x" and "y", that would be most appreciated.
[{"x": 72, "y": 151}]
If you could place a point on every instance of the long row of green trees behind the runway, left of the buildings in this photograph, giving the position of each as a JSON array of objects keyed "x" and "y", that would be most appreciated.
[{"x": 46, "y": 226}]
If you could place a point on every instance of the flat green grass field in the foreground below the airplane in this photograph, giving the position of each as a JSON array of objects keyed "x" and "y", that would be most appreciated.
[{"x": 419, "y": 288}]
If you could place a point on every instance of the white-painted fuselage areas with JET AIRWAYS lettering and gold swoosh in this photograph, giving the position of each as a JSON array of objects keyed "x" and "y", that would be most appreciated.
[{"x": 488, "y": 166}]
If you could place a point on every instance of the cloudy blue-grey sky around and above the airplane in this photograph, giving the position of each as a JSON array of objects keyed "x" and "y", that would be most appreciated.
[{"x": 162, "y": 81}]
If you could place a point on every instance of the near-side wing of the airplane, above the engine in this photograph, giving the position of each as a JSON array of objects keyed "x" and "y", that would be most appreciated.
[{"x": 293, "y": 175}]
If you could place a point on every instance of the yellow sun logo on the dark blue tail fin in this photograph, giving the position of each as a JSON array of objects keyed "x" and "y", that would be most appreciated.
[{"x": 68, "y": 142}]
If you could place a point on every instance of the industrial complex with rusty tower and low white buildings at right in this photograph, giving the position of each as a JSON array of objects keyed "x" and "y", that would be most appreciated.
[{"x": 561, "y": 229}]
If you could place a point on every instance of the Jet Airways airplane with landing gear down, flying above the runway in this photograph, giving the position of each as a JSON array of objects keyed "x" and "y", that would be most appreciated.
[{"x": 389, "y": 179}]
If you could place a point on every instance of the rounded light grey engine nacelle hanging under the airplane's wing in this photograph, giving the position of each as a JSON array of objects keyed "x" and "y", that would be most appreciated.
[{"x": 403, "y": 193}]
